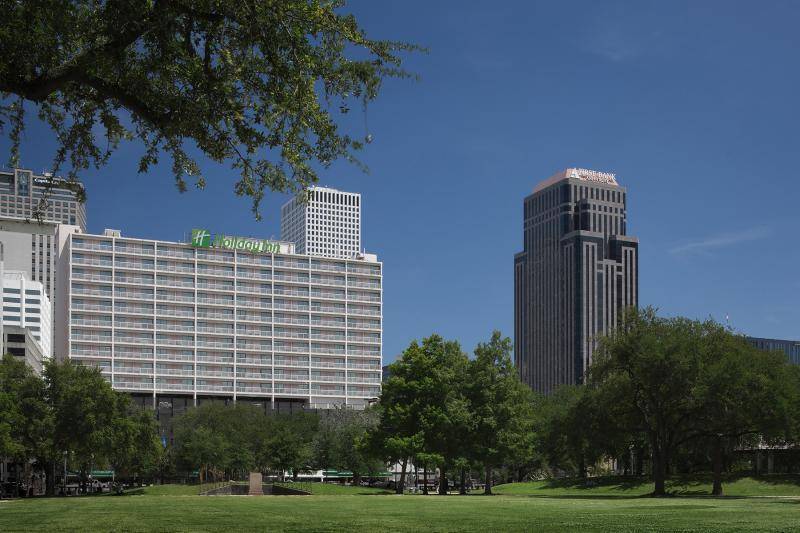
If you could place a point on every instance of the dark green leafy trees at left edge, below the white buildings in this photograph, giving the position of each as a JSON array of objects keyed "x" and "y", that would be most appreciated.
[{"x": 71, "y": 412}]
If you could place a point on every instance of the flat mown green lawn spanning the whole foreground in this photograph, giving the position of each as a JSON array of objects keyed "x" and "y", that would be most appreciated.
[{"x": 595, "y": 509}]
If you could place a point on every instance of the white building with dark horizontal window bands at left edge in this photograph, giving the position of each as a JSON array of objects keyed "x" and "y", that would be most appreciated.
[{"x": 26, "y": 305}]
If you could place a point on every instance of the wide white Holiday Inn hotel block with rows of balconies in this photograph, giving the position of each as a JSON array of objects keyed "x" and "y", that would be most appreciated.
[{"x": 224, "y": 317}]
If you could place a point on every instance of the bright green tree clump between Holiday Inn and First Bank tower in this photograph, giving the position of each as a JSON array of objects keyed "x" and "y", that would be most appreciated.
[{"x": 440, "y": 409}]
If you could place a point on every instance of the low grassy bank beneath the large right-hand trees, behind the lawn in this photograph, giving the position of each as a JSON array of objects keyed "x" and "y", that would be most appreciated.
[{"x": 775, "y": 485}]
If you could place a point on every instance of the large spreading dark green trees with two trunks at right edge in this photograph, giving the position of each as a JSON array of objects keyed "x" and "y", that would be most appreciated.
[{"x": 677, "y": 382}]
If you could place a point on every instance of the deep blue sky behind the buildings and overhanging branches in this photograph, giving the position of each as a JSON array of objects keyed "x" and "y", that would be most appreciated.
[{"x": 694, "y": 105}]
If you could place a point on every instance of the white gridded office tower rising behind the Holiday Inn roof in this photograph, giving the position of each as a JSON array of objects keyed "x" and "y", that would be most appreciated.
[{"x": 323, "y": 222}]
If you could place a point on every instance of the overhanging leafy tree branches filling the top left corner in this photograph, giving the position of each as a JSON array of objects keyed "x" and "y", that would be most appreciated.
[{"x": 256, "y": 84}]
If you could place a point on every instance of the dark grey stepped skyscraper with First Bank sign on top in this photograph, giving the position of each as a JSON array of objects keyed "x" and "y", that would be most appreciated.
[{"x": 576, "y": 274}]
